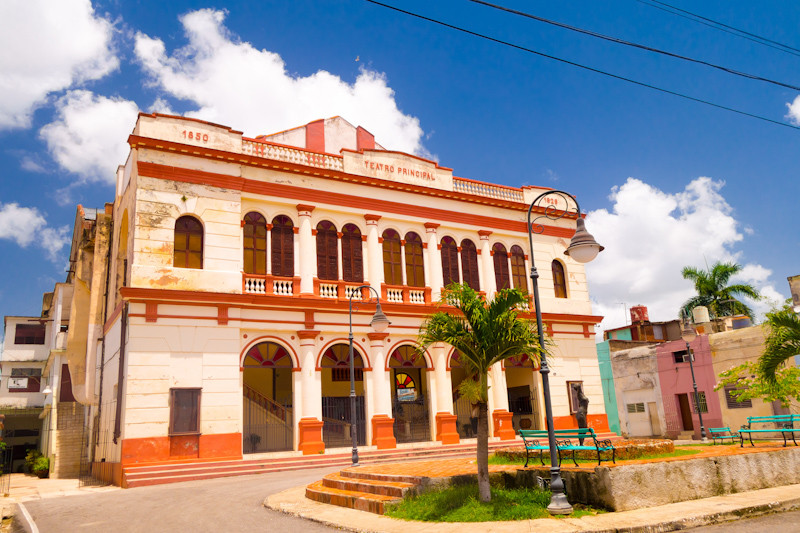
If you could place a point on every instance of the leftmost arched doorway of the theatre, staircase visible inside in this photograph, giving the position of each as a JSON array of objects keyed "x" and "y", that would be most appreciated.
[{"x": 267, "y": 389}]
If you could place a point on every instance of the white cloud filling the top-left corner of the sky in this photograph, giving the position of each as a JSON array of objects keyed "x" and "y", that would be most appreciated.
[{"x": 48, "y": 46}]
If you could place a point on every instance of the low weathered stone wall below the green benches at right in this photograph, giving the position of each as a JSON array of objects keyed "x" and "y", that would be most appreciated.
[{"x": 627, "y": 487}]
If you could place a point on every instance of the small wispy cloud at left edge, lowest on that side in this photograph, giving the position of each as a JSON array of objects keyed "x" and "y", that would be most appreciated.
[{"x": 26, "y": 226}]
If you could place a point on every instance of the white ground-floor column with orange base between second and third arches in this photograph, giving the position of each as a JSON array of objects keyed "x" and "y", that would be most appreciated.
[{"x": 382, "y": 421}]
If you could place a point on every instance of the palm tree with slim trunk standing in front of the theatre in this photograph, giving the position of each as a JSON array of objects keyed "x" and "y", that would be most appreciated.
[{"x": 482, "y": 334}]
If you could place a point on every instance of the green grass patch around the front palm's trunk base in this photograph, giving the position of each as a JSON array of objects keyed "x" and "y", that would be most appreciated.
[{"x": 460, "y": 503}]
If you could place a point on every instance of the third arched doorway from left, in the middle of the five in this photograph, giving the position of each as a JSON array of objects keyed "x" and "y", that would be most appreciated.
[{"x": 409, "y": 395}]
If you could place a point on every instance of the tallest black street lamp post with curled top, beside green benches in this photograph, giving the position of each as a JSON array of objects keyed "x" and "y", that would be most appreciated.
[{"x": 582, "y": 248}]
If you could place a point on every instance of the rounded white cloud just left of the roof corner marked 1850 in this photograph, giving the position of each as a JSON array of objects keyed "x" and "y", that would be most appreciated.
[{"x": 89, "y": 136}]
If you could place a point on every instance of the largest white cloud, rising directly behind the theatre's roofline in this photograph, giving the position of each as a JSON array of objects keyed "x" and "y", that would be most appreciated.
[{"x": 235, "y": 84}]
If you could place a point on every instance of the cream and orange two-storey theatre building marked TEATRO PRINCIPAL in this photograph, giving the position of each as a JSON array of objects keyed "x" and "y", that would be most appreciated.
[{"x": 232, "y": 265}]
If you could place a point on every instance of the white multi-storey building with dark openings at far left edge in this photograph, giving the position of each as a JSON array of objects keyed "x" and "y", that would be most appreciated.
[{"x": 25, "y": 351}]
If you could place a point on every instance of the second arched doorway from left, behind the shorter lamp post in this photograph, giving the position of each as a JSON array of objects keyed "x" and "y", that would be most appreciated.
[{"x": 336, "y": 419}]
